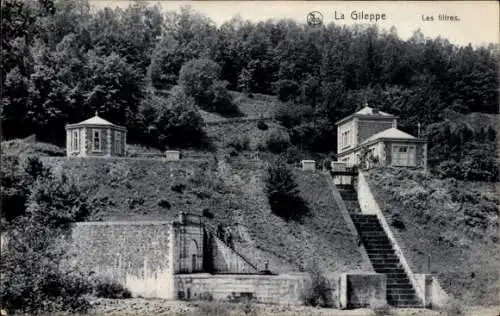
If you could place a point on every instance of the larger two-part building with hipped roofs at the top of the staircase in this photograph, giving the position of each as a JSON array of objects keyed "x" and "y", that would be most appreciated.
[{"x": 370, "y": 137}]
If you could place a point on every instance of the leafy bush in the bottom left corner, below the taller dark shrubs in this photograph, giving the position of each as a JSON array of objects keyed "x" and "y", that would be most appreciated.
[{"x": 32, "y": 278}]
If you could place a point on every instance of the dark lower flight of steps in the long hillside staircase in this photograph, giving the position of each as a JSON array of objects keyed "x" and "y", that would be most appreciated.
[{"x": 400, "y": 292}]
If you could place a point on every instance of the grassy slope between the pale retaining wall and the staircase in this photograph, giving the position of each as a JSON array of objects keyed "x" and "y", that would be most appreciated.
[{"x": 230, "y": 193}]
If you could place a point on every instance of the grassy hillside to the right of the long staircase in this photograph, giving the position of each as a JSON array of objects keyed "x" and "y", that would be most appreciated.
[{"x": 452, "y": 224}]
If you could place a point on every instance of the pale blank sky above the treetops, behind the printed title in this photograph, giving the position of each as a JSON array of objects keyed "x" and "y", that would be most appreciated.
[{"x": 478, "y": 20}]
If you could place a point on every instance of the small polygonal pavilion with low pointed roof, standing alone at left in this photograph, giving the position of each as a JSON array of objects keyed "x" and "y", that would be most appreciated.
[{"x": 95, "y": 137}]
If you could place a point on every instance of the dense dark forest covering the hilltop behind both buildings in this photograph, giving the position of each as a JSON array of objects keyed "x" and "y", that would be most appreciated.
[{"x": 64, "y": 60}]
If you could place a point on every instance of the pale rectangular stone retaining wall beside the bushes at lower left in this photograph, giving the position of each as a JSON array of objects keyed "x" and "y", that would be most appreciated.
[{"x": 137, "y": 254}]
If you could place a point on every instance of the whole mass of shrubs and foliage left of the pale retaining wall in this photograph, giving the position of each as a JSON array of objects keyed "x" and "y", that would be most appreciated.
[{"x": 37, "y": 275}]
